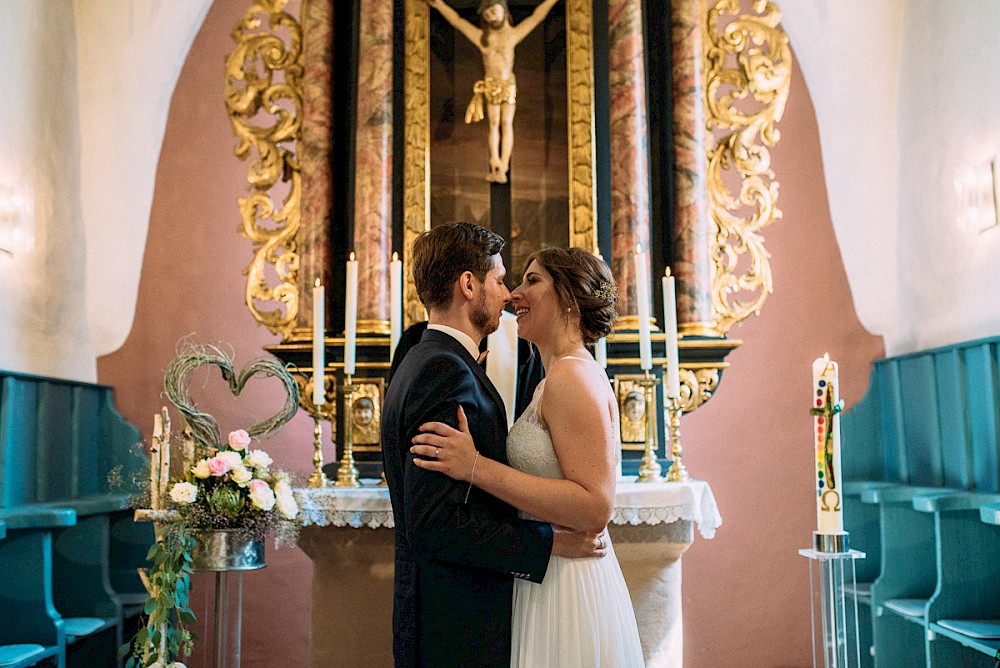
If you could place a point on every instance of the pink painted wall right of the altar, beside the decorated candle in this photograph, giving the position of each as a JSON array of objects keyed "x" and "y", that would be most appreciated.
[{"x": 746, "y": 593}]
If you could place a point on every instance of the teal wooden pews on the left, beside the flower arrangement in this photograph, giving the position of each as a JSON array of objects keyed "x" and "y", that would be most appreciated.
[{"x": 62, "y": 443}]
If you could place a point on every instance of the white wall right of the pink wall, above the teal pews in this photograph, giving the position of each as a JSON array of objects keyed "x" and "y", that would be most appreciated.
[{"x": 906, "y": 94}]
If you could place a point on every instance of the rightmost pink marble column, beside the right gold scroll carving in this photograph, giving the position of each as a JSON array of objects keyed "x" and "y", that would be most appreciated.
[{"x": 691, "y": 243}]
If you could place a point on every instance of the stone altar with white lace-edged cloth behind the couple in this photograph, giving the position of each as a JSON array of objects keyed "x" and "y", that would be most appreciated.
[{"x": 347, "y": 532}]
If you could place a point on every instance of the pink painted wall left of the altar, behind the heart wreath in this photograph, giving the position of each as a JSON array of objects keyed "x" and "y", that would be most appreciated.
[{"x": 192, "y": 285}]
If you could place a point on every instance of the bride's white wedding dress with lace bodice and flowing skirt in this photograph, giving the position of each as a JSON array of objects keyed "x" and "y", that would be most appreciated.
[{"x": 580, "y": 616}]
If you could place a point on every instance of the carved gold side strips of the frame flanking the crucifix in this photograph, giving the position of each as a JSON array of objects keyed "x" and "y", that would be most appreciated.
[{"x": 416, "y": 151}]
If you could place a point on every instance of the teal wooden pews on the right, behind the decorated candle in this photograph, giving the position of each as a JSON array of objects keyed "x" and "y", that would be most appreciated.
[{"x": 927, "y": 427}]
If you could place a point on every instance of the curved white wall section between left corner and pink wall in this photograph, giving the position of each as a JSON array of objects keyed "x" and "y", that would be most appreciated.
[{"x": 130, "y": 56}]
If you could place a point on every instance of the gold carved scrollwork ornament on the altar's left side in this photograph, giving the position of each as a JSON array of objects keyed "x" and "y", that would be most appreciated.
[{"x": 263, "y": 92}]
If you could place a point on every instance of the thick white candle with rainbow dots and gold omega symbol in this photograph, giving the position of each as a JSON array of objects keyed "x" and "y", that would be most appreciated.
[{"x": 826, "y": 408}]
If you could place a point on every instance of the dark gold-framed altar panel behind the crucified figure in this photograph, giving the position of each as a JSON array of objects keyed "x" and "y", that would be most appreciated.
[{"x": 548, "y": 195}]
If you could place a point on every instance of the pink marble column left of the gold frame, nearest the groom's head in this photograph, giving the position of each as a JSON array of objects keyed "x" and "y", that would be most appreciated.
[{"x": 373, "y": 165}]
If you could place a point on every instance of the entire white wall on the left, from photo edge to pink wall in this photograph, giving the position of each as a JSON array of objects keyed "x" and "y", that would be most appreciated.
[{"x": 87, "y": 90}]
